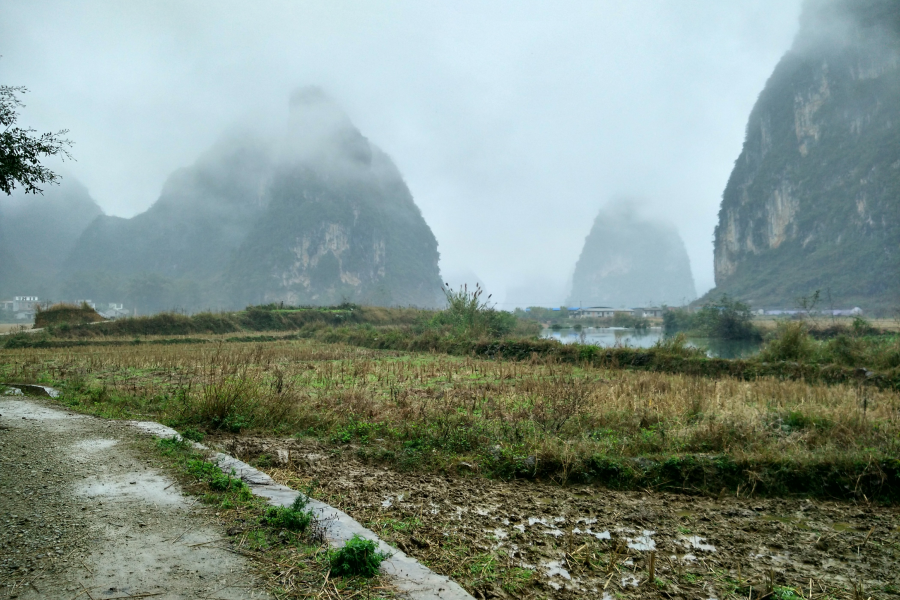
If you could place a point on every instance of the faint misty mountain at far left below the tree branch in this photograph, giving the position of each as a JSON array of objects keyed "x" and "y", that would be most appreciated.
[{"x": 39, "y": 231}]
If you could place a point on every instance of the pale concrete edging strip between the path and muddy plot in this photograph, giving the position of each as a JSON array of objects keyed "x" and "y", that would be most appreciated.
[{"x": 407, "y": 574}]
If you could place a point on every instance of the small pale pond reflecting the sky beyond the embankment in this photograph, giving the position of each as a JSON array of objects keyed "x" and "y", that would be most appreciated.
[{"x": 608, "y": 337}]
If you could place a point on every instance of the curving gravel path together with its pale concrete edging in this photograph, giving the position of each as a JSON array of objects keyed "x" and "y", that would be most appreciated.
[{"x": 69, "y": 452}]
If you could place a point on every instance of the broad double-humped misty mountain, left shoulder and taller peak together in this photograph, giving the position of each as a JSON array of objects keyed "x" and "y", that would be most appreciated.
[{"x": 318, "y": 216}]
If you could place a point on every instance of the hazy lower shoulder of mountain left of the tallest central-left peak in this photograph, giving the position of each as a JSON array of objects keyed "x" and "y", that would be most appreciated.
[{"x": 202, "y": 215}]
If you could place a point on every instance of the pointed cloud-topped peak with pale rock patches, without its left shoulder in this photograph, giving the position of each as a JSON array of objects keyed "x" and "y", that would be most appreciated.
[{"x": 339, "y": 223}]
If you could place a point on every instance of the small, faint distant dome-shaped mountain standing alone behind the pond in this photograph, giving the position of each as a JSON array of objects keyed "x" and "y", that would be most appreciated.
[{"x": 630, "y": 261}]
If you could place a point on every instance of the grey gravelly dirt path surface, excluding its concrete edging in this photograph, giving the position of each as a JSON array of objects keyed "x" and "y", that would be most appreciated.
[{"x": 86, "y": 511}]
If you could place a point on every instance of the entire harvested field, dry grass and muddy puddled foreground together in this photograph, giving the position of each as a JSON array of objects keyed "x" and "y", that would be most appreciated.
[{"x": 537, "y": 479}]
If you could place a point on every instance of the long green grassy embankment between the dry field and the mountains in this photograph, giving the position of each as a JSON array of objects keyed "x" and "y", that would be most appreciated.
[{"x": 469, "y": 329}]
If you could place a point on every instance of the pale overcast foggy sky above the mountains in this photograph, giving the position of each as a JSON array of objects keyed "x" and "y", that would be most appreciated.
[{"x": 512, "y": 122}]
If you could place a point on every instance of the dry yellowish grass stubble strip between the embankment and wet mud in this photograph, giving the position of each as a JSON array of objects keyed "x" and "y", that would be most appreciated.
[{"x": 465, "y": 405}]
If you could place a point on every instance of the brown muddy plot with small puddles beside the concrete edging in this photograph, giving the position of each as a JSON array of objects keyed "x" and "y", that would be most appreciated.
[{"x": 525, "y": 539}]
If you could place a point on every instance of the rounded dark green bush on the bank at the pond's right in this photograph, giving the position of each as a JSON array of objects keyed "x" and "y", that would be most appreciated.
[{"x": 725, "y": 318}]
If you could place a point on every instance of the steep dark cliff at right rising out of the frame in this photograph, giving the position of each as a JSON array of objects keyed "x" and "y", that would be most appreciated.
[{"x": 813, "y": 202}]
